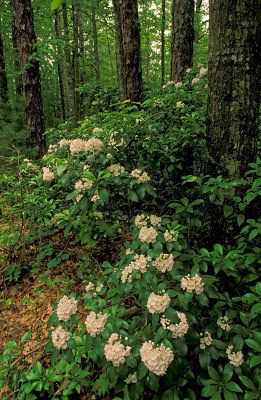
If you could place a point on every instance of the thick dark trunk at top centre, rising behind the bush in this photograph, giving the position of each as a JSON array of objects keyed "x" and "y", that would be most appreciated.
[{"x": 129, "y": 52}]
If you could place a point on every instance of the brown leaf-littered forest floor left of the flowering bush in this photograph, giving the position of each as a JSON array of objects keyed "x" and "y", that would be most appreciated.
[{"x": 25, "y": 305}]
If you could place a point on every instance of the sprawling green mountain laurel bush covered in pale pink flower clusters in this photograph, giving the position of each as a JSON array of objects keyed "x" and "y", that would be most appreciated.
[{"x": 170, "y": 318}]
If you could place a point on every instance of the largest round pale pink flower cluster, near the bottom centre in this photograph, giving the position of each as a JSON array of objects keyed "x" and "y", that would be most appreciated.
[{"x": 156, "y": 358}]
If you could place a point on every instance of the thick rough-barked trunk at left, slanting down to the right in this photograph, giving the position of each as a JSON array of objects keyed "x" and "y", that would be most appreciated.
[{"x": 26, "y": 44}]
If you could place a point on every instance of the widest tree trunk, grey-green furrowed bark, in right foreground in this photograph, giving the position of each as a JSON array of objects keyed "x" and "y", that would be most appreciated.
[{"x": 234, "y": 85}]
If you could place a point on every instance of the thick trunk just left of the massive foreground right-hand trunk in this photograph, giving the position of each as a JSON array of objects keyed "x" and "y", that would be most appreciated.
[{"x": 182, "y": 38}]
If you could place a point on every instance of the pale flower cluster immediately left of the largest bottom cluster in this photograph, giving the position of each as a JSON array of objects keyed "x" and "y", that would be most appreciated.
[{"x": 115, "y": 351}]
